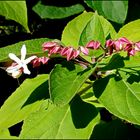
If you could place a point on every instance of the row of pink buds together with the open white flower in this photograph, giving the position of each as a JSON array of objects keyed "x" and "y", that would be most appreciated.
[{"x": 111, "y": 46}]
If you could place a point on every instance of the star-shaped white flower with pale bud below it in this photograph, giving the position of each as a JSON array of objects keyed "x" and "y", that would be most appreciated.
[{"x": 21, "y": 64}]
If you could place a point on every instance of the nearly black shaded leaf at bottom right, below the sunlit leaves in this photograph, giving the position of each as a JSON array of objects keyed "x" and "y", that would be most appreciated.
[{"x": 113, "y": 130}]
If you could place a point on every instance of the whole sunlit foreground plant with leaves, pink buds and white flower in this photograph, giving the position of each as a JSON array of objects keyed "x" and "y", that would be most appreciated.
[{"x": 95, "y": 69}]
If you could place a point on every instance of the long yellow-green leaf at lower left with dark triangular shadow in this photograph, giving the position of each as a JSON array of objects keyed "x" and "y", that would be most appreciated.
[{"x": 26, "y": 99}]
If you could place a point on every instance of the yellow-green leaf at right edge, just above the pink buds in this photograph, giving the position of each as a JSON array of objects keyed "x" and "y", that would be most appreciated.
[{"x": 130, "y": 31}]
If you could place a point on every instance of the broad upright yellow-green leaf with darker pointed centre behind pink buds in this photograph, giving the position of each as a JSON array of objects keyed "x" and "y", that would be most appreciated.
[{"x": 79, "y": 29}]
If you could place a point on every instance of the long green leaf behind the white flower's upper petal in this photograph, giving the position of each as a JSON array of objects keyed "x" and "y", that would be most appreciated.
[{"x": 33, "y": 46}]
